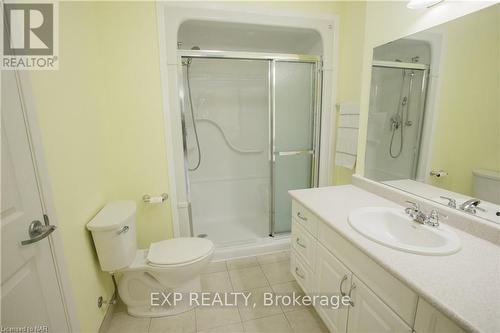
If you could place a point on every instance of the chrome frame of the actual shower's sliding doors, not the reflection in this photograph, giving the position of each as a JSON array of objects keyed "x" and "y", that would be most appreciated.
[{"x": 271, "y": 58}]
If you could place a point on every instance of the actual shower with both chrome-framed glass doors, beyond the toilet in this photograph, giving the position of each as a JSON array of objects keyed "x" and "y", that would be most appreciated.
[{"x": 251, "y": 133}]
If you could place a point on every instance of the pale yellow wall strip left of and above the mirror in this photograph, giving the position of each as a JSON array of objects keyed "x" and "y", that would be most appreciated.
[{"x": 390, "y": 20}]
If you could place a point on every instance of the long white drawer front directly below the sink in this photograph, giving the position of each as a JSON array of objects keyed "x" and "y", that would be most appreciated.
[{"x": 393, "y": 292}]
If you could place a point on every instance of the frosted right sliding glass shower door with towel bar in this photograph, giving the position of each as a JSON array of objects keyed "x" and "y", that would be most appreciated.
[{"x": 294, "y": 142}]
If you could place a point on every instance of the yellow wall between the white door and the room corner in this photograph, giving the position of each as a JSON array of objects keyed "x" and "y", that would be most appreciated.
[{"x": 67, "y": 102}]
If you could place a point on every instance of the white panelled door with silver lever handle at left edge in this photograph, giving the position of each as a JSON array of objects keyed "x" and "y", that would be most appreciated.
[{"x": 29, "y": 286}]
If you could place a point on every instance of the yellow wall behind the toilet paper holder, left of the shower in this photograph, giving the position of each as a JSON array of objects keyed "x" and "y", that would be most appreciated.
[{"x": 133, "y": 114}]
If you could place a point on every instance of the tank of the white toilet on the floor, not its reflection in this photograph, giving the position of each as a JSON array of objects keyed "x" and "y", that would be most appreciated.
[{"x": 113, "y": 231}]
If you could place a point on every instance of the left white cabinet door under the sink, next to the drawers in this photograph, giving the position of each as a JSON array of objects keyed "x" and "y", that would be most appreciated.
[{"x": 331, "y": 276}]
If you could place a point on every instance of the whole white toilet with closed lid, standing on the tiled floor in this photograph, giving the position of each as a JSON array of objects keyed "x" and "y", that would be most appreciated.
[{"x": 172, "y": 265}]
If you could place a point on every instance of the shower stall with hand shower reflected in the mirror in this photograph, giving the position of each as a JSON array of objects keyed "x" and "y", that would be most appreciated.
[{"x": 397, "y": 110}]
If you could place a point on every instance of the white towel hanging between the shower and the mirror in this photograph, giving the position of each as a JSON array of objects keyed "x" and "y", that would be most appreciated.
[{"x": 347, "y": 135}]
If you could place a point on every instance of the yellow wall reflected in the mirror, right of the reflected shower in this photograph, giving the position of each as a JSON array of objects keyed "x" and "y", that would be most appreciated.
[{"x": 467, "y": 134}]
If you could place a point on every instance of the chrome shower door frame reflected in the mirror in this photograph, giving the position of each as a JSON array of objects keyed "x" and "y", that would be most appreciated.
[{"x": 417, "y": 159}]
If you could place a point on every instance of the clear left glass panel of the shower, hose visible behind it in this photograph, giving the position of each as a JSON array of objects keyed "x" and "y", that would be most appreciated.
[{"x": 227, "y": 148}]
